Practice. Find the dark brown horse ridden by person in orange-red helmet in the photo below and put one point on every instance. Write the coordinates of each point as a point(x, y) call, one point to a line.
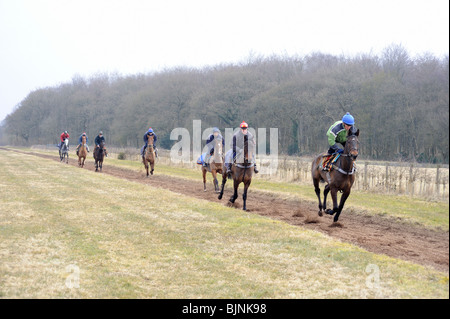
point(241, 173)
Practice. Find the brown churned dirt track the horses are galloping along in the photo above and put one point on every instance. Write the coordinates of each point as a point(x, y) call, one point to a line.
point(377, 234)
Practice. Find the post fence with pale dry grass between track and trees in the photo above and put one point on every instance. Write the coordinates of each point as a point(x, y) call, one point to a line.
point(413, 179)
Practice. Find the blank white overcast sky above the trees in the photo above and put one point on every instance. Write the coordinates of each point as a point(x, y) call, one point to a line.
point(46, 42)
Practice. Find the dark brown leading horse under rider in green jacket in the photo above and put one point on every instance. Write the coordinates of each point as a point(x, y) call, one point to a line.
point(339, 178)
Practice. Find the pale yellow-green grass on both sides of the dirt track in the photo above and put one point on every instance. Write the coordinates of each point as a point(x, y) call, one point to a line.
point(120, 239)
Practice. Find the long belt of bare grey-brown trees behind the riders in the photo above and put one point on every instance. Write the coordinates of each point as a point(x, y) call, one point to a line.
point(400, 103)
